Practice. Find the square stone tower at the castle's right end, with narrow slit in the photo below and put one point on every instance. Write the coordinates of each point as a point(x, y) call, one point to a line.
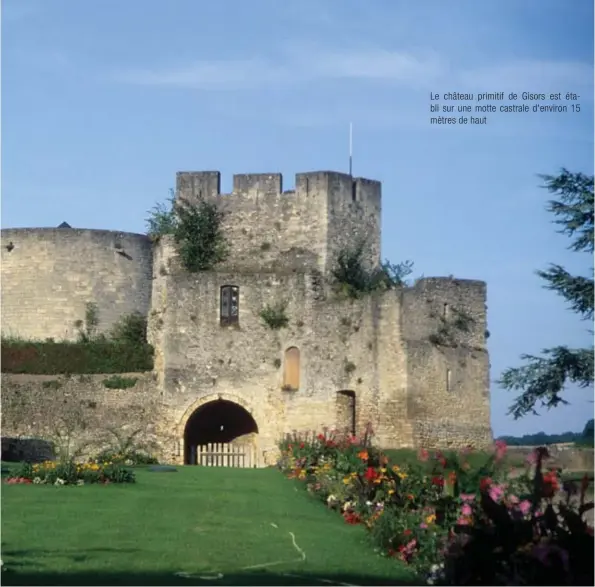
point(448, 377)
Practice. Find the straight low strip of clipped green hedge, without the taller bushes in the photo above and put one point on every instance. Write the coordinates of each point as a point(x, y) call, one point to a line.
point(57, 358)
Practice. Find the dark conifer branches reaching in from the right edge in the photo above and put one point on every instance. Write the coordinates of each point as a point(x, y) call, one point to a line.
point(544, 378)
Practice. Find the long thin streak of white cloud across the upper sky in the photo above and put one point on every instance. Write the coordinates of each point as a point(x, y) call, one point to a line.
point(299, 65)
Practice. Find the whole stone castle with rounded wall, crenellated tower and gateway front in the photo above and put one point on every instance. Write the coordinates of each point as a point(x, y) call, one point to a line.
point(398, 359)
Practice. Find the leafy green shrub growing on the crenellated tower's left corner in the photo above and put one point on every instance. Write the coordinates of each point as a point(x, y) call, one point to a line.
point(196, 229)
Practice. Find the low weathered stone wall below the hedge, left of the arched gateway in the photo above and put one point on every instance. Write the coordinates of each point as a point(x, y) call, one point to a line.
point(79, 411)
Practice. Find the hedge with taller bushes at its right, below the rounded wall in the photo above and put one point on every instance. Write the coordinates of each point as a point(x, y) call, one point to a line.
point(123, 350)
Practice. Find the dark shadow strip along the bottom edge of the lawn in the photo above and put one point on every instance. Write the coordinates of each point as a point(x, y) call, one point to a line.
point(161, 578)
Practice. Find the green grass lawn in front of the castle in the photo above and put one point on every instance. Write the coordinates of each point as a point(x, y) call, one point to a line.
point(252, 526)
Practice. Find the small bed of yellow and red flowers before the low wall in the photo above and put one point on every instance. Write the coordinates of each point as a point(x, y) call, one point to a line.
point(70, 473)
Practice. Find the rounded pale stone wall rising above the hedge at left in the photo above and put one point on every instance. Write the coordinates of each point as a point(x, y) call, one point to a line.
point(50, 274)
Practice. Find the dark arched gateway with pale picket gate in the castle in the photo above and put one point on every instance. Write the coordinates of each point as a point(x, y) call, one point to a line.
point(219, 431)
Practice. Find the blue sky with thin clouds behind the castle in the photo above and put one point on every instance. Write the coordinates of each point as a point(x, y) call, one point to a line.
point(103, 102)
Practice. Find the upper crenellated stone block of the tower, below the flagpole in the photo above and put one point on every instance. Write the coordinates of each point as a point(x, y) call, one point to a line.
point(323, 214)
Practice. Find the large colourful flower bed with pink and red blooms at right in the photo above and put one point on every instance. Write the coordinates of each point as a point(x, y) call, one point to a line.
point(454, 523)
